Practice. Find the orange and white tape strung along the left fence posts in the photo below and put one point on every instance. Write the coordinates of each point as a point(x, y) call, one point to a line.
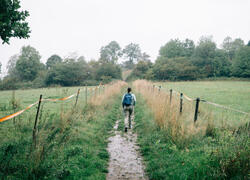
point(51, 100)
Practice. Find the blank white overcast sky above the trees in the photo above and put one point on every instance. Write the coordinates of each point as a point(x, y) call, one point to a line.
point(83, 26)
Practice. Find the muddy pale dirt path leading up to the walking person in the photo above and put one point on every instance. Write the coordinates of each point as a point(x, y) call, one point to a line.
point(125, 161)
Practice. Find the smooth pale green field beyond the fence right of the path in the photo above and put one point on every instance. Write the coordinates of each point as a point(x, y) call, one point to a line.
point(233, 94)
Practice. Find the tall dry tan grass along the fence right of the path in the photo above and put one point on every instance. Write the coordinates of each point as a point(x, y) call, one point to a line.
point(167, 115)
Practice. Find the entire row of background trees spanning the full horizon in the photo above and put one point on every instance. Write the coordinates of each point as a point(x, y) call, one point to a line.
point(177, 60)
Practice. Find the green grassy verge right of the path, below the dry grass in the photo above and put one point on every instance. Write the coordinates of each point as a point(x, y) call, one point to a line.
point(220, 154)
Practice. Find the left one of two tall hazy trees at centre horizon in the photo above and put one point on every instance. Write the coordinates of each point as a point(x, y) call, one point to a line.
point(111, 52)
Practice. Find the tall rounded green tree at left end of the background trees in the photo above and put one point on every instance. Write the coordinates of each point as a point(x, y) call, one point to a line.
point(28, 64)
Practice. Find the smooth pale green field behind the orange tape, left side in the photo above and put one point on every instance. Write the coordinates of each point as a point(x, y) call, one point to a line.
point(23, 98)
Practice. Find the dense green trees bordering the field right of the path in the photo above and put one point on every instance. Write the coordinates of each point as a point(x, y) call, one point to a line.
point(183, 60)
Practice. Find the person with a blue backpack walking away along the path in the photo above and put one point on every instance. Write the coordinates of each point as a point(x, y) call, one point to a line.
point(128, 103)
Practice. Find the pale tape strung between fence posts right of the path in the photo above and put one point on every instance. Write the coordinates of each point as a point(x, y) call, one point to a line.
point(202, 100)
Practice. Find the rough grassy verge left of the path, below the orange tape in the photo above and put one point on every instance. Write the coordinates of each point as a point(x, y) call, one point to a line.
point(71, 144)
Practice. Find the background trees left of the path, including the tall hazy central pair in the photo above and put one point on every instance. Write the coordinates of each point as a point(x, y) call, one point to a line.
point(26, 69)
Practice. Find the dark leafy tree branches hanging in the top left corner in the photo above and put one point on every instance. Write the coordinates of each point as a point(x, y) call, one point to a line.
point(12, 20)
